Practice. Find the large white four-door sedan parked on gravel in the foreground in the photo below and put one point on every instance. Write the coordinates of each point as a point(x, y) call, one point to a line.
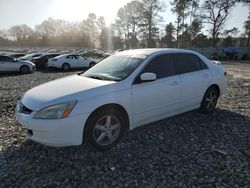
point(122, 92)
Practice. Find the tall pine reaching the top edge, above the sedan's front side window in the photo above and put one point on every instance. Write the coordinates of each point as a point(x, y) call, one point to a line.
point(150, 20)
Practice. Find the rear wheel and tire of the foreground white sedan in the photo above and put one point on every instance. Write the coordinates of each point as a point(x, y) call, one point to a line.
point(209, 100)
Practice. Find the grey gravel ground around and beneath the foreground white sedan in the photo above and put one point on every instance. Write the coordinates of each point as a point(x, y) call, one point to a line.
point(188, 150)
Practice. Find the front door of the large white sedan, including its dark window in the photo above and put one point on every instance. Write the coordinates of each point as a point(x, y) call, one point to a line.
point(160, 98)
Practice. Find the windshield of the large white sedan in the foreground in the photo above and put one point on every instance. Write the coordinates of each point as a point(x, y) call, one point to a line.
point(115, 68)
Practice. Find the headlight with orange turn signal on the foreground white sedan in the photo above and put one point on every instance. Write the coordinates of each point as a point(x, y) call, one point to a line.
point(56, 111)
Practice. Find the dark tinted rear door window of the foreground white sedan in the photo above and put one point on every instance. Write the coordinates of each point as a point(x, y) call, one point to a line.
point(186, 63)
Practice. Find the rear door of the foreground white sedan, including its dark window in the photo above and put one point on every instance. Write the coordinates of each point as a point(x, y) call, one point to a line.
point(195, 78)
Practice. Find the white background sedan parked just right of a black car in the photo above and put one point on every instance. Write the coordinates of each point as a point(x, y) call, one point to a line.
point(68, 61)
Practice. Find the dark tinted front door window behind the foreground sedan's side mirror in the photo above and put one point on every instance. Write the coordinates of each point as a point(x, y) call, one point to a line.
point(162, 66)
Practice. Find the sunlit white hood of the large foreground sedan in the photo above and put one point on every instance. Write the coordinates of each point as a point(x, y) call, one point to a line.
point(69, 88)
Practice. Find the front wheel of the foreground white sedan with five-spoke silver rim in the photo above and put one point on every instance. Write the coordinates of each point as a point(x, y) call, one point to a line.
point(104, 129)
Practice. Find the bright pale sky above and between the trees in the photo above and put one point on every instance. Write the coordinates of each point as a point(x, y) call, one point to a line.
point(33, 12)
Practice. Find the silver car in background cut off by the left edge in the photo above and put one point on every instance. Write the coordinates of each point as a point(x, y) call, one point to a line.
point(10, 64)
